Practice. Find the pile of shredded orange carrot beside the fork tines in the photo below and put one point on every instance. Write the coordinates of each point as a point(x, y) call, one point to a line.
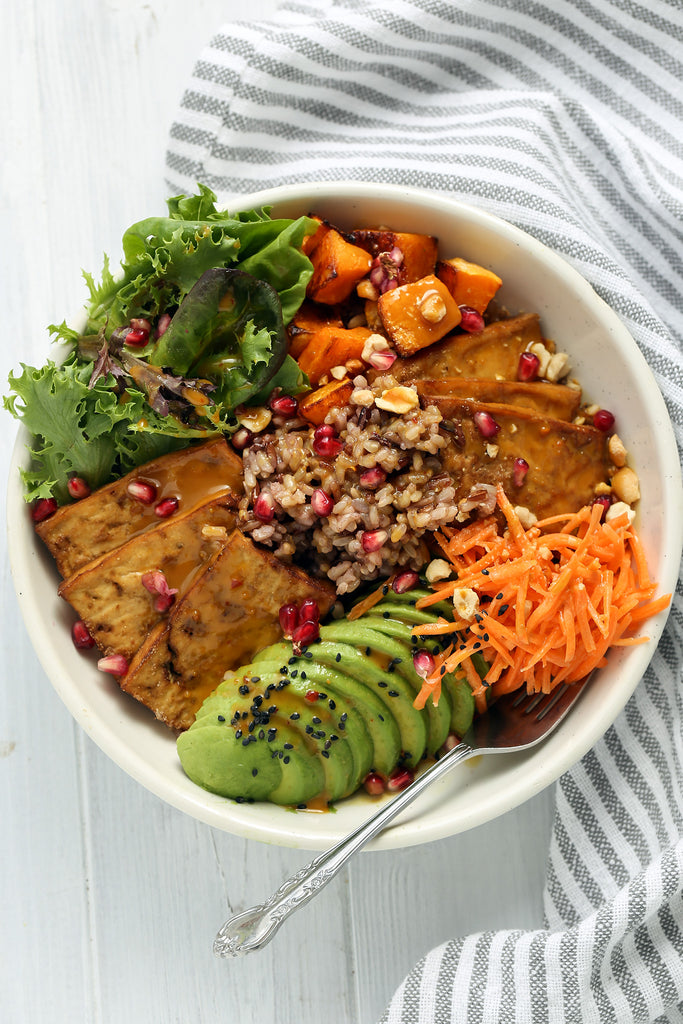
point(552, 600)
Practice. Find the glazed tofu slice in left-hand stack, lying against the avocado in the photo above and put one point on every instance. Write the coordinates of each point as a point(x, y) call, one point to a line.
point(229, 614)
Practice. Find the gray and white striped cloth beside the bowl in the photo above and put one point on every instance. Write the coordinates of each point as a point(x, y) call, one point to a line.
point(566, 118)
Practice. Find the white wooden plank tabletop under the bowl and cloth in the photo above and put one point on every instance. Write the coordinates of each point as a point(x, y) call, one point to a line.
point(110, 900)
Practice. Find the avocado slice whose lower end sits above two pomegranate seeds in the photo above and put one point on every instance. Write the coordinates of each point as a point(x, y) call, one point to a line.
point(378, 719)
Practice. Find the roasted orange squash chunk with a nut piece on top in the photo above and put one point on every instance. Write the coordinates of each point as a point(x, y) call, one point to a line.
point(418, 315)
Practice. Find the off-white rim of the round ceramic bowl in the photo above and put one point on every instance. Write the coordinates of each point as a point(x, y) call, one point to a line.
point(211, 810)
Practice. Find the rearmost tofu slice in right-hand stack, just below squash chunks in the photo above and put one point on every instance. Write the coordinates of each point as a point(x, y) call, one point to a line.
point(493, 354)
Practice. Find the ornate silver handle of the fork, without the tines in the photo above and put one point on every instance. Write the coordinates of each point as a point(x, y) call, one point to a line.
point(252, 929)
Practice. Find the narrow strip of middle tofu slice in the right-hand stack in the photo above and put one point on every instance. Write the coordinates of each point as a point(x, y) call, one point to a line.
point(557, 401)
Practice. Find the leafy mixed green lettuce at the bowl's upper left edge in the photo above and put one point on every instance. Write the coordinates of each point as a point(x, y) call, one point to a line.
point(192, 328)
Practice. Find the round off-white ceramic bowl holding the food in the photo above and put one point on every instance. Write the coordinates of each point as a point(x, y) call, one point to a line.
point(614, 373)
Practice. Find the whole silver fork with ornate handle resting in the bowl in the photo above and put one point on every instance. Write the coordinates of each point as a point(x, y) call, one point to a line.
point(516, 722)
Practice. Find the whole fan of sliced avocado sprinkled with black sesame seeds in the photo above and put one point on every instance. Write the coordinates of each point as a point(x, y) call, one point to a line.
point(306, 730)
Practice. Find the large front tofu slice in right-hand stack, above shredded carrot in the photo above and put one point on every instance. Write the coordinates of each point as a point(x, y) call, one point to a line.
point(567, 462)
